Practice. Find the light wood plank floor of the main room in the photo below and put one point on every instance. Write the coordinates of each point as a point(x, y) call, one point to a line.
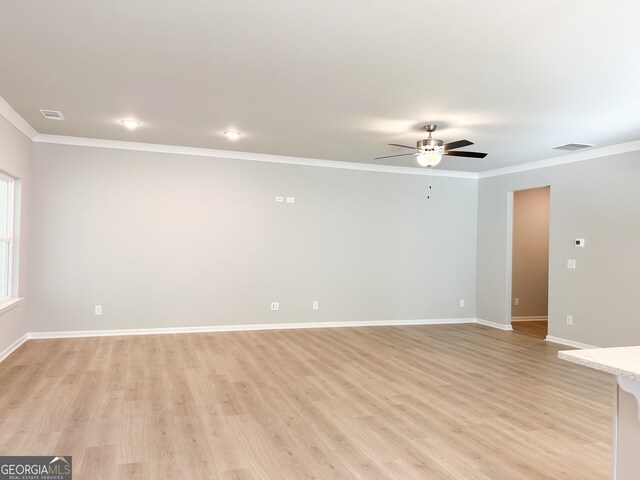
point(432, 402)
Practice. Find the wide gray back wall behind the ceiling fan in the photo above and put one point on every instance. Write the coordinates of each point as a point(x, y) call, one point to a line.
point(166, 240)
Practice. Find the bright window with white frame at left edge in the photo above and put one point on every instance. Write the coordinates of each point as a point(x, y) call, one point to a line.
point(6, 235)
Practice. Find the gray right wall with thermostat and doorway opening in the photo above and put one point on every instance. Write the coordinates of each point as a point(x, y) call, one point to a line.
point(598, 200)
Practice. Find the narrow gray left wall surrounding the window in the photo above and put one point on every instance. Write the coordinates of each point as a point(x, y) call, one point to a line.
point(15, 160)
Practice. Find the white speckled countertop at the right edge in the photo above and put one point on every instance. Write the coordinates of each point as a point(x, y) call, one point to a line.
point(623, 361)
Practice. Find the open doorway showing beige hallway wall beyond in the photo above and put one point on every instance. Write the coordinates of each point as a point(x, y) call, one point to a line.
point(530, 262)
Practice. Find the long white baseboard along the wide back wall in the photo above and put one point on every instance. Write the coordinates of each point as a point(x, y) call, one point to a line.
point(246, 327)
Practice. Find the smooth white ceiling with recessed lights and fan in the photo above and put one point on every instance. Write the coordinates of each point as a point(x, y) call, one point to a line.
point(333, 79)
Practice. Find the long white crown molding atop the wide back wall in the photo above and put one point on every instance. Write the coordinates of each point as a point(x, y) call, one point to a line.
point(234, 155)
